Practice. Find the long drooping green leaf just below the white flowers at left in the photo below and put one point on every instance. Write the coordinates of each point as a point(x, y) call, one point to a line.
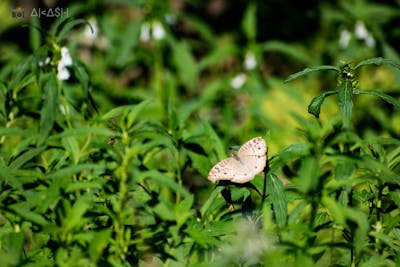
point(49, 109)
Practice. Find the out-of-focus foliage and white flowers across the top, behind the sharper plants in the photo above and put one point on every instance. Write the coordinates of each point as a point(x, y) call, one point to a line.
point(218, 60)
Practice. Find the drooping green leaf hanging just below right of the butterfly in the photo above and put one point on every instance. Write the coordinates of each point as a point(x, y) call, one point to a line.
point(277, 194)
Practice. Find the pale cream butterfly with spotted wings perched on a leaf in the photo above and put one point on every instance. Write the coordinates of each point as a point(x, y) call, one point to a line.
point(242, 167)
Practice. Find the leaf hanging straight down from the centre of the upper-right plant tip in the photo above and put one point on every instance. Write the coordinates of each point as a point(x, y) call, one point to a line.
point(345, 100)
